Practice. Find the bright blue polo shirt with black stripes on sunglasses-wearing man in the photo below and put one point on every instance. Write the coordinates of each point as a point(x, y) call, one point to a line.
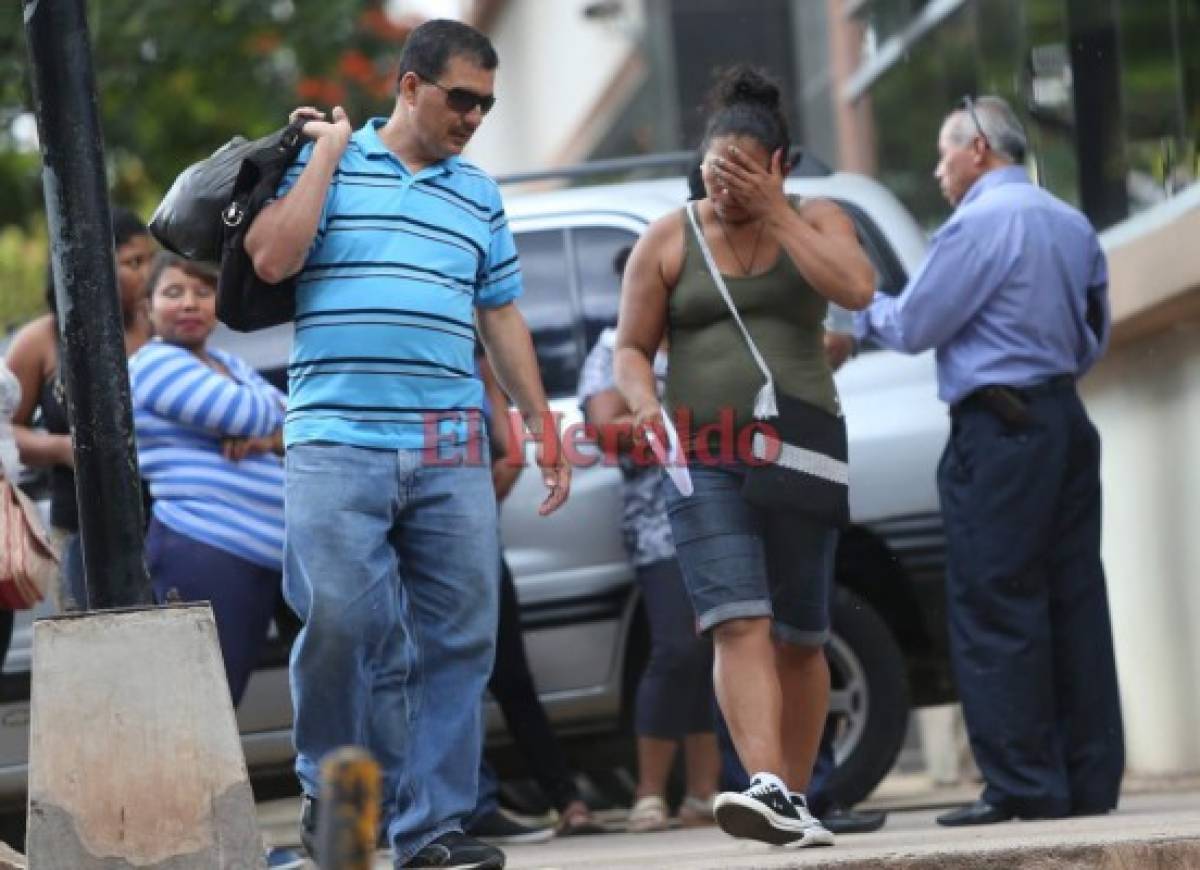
point(385, 331)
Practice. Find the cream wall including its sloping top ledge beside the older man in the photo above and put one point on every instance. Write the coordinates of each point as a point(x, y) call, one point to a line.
point(1145, 399)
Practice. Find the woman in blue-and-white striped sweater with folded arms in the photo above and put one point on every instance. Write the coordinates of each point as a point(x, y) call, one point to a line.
point(209, 443)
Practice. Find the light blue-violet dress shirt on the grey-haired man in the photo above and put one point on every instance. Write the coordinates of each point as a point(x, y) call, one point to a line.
point(1013, 291)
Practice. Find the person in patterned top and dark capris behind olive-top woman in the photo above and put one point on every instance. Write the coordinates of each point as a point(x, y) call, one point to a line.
point(674, 705)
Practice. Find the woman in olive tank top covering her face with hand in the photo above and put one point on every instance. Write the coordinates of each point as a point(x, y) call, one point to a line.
point(759, 580)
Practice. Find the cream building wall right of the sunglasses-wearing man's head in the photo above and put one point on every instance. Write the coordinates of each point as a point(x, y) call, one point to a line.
point(556, 70)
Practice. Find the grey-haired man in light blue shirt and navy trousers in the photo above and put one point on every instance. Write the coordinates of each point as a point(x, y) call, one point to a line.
point(1013, 296)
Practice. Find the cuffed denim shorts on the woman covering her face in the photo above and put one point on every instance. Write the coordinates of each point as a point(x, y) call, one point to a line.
point(740, 561)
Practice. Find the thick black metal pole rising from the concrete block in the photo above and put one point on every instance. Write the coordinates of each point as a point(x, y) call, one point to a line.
point(91, 323)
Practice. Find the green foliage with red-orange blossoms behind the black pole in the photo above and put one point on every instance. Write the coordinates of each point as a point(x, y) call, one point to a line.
point(178, 80)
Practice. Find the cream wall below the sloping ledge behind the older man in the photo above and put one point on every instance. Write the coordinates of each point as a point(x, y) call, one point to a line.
point(1145, 399)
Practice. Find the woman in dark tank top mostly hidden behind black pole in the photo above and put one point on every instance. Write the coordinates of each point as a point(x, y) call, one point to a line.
point(34, 358)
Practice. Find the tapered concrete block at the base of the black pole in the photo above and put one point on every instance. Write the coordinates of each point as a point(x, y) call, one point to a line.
point(135, 758)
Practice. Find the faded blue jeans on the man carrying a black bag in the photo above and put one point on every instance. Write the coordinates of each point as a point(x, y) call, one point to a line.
point(392, 567)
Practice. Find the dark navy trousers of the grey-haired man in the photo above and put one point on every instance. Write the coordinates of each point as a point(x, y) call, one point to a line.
point(1030, 632)
